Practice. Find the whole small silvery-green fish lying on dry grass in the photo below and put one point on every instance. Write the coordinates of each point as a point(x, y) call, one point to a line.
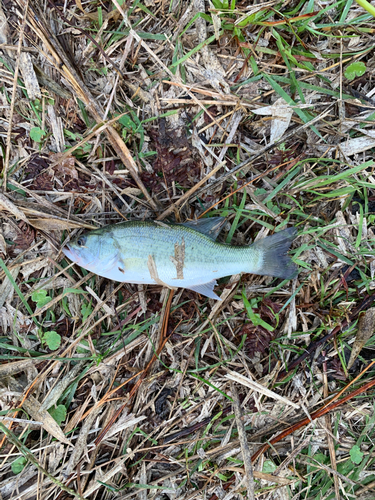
point(177, 255)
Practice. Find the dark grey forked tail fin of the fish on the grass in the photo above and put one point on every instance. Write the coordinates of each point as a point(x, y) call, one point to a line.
point(274, 248)
